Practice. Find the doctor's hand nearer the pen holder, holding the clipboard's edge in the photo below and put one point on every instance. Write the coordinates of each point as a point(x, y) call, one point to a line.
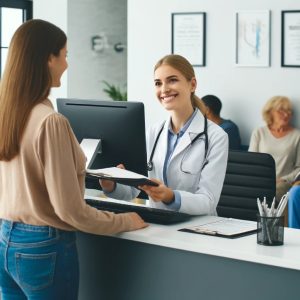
point(158, 193)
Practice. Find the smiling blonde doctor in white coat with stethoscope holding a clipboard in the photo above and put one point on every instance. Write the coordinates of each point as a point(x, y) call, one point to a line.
point(187, 153)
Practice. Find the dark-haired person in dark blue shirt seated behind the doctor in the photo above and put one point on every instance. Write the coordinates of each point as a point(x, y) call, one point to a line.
point(214, 106)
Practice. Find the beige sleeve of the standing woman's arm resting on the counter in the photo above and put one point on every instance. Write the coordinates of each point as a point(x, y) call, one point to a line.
point(59, 155)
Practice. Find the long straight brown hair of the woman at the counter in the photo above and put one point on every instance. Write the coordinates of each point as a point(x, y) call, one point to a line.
point(26, 79)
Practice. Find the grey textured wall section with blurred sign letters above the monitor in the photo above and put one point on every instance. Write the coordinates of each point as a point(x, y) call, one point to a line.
point(87, 68)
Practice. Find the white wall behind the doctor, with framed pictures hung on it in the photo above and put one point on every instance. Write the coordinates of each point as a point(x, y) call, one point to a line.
point(243, 91)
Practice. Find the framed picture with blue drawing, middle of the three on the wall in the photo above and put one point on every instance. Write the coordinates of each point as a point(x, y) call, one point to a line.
point(253, 38)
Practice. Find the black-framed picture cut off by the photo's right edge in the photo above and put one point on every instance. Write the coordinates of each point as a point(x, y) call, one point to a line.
point(290, 38)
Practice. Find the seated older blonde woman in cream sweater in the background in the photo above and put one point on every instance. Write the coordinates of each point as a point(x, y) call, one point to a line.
point(280, 139)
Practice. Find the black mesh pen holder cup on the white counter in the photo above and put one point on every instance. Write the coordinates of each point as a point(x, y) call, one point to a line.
point(270, 230)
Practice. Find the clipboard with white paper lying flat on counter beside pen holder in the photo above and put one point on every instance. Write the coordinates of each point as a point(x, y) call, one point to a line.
point(224, 227)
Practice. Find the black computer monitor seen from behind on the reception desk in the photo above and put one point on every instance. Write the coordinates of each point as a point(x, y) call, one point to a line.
point(119, 125)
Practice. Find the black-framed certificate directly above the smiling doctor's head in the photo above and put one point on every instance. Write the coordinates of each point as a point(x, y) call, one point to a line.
point(188, 36)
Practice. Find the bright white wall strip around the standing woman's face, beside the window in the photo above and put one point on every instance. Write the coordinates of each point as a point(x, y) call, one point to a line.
point(54, 11)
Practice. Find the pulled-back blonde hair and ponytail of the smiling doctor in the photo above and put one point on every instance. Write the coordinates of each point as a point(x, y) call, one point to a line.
point(182, 65)
